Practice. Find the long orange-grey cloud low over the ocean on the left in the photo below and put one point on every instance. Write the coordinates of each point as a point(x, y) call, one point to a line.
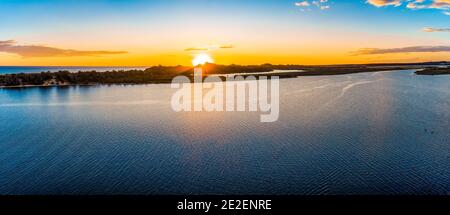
point(10, 46)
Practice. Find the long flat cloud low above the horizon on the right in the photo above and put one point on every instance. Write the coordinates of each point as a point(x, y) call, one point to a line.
point(372, 51)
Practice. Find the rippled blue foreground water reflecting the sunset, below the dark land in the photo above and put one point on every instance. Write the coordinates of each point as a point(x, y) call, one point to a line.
point(373, 133)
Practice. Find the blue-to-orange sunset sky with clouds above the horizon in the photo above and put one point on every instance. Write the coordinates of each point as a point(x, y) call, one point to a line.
point(169, 32)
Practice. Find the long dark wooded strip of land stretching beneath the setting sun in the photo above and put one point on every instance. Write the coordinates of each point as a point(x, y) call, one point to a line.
point(165, 74)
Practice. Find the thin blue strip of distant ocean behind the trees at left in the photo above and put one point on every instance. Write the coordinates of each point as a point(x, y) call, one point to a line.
point(38, 69)
